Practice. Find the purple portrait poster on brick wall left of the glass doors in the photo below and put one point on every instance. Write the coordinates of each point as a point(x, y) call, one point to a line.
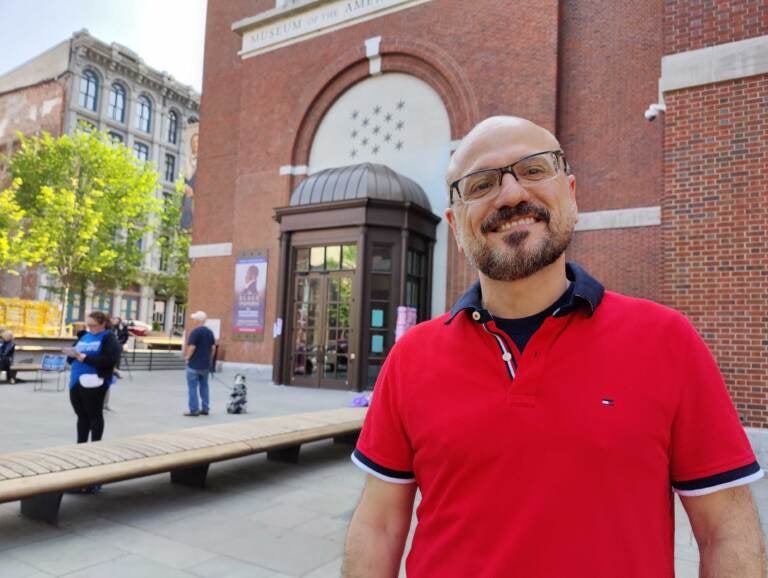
point(250, 295)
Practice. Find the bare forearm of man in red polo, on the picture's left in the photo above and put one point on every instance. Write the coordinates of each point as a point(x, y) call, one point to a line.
point(378, 530)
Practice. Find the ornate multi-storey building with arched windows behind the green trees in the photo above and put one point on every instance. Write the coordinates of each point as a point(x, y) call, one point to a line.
point(85, 83)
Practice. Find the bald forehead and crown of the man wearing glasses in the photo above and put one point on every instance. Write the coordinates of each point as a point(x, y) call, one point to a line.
point(499, 136)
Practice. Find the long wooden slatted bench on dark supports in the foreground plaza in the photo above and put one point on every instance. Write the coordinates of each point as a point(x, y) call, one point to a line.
point(39, 477)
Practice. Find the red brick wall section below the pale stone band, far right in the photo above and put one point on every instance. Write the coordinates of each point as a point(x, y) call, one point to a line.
point(715, 214)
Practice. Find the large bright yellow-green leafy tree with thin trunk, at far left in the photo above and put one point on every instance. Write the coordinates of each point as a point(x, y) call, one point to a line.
point(82, 205)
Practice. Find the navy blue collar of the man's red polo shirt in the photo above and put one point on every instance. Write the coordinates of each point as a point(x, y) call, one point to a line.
point(587, 295)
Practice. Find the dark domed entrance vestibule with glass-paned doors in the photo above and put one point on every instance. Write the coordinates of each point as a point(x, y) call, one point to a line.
point(356, 242)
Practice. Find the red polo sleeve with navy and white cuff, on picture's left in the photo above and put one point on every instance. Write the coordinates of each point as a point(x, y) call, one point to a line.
point(383, 449)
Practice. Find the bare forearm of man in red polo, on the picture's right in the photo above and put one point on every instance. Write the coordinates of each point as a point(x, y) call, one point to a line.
point(728, 533)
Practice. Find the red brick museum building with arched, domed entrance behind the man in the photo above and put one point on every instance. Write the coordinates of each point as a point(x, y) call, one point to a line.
point(301, 96)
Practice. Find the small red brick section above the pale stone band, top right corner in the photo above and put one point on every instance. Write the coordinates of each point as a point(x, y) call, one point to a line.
point(692, 24)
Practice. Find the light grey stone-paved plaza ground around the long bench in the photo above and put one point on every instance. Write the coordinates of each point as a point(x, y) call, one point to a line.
point(255, 519)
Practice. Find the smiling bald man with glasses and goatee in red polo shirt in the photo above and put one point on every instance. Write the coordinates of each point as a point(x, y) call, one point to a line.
point(545, 421)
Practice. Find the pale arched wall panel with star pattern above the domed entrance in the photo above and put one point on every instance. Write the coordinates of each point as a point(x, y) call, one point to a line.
point(400, 121)
